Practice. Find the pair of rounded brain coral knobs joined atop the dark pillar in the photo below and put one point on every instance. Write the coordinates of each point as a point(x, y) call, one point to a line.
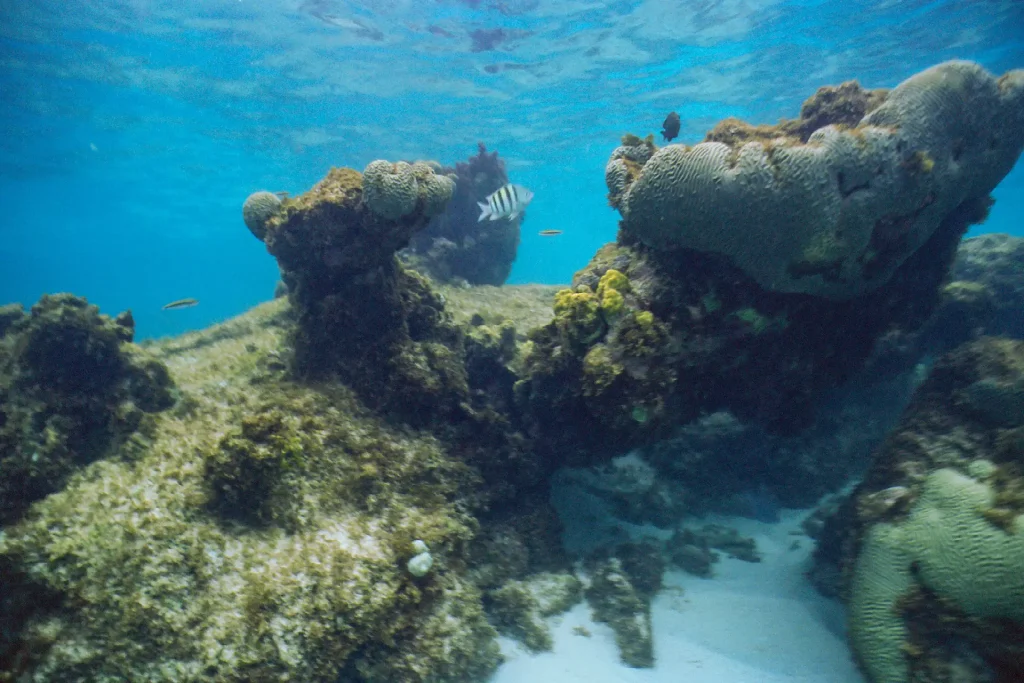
point(393, 191)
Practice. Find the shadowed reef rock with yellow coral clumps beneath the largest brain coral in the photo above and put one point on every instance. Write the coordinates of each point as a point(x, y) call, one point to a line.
point(690, 334)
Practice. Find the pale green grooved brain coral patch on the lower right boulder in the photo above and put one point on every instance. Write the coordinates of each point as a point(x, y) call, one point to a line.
point(949, 546)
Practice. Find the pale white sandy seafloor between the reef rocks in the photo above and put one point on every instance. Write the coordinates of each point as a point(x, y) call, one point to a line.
point(752, 623)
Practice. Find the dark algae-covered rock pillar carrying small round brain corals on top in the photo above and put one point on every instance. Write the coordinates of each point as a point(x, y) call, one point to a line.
point(361, 316)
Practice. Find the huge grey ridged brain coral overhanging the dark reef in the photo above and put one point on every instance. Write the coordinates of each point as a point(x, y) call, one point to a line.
point(834, 217)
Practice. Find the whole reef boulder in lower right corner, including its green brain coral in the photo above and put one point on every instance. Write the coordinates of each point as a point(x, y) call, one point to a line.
point(929, 546)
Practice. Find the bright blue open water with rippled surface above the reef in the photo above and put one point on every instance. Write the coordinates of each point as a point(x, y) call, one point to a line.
point(134, 130)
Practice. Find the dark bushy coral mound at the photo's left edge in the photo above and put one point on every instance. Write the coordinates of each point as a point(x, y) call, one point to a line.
point(72, 387)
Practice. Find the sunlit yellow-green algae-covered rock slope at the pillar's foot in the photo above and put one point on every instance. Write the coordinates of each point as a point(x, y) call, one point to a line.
point(262, 534)
